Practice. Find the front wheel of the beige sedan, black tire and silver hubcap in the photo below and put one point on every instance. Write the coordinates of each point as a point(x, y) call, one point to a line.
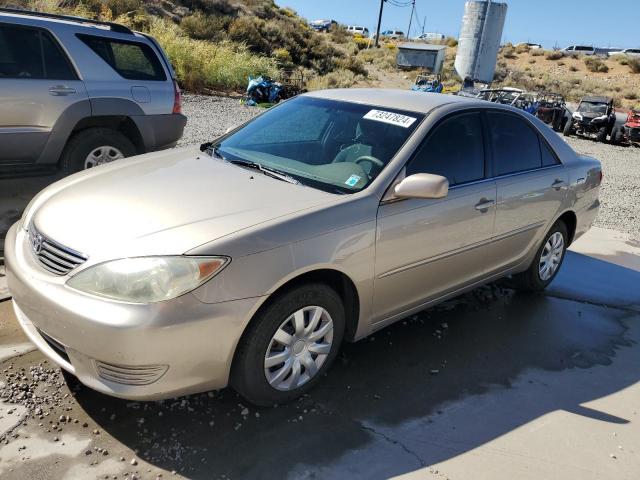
point(249, 370)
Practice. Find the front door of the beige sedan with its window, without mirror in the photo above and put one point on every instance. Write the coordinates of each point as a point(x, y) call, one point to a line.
point(427, 248)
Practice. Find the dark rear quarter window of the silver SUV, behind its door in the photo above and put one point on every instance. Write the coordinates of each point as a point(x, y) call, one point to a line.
point(132, 60)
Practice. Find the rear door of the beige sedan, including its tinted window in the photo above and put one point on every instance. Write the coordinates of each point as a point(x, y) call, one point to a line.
point(531, 185)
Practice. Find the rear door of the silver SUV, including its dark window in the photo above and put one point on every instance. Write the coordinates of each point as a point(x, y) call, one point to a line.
point(37, 85)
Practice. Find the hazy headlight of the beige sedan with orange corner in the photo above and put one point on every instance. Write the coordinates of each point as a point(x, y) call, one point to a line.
point(147, 279)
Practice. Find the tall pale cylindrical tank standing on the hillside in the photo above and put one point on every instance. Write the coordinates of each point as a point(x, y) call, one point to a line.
point(479, 40)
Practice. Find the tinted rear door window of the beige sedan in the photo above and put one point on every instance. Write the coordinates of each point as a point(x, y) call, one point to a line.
point(516, 147)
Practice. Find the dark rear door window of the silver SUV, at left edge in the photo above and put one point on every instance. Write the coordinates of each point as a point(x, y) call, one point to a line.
point(30, 53)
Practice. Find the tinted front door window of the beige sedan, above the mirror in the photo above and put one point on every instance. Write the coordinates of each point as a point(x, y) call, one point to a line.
point(454, 150)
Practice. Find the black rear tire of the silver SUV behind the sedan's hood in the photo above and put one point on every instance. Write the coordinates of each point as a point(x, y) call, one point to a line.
point(82, 144)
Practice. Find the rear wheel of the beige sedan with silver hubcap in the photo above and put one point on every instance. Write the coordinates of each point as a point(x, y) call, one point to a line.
point(547, 261)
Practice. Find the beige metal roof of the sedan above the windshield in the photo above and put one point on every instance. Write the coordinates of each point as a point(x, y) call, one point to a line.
point(420, 102)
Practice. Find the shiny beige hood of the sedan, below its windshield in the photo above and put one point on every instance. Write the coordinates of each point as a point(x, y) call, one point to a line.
point(164, 204)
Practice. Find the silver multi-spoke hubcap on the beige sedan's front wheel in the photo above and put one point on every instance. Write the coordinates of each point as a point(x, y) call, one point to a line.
point(299, 348)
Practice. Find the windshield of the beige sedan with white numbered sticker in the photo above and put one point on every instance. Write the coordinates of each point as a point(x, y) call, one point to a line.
point(335, 146)
